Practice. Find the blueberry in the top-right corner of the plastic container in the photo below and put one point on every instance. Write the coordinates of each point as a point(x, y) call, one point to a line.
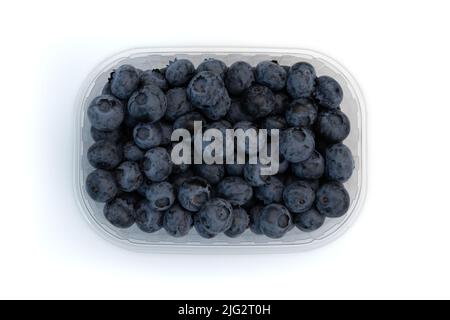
point(328, 93)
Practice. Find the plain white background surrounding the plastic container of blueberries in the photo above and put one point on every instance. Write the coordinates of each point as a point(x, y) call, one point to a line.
point(399, 51)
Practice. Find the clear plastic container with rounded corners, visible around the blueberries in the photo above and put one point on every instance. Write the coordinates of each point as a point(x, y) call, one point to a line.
point(149, 58)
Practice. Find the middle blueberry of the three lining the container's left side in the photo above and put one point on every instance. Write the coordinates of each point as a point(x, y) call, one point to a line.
point(104, 155)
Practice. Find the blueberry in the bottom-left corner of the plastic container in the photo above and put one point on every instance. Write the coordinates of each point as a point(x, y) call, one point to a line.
point(120, 211)
